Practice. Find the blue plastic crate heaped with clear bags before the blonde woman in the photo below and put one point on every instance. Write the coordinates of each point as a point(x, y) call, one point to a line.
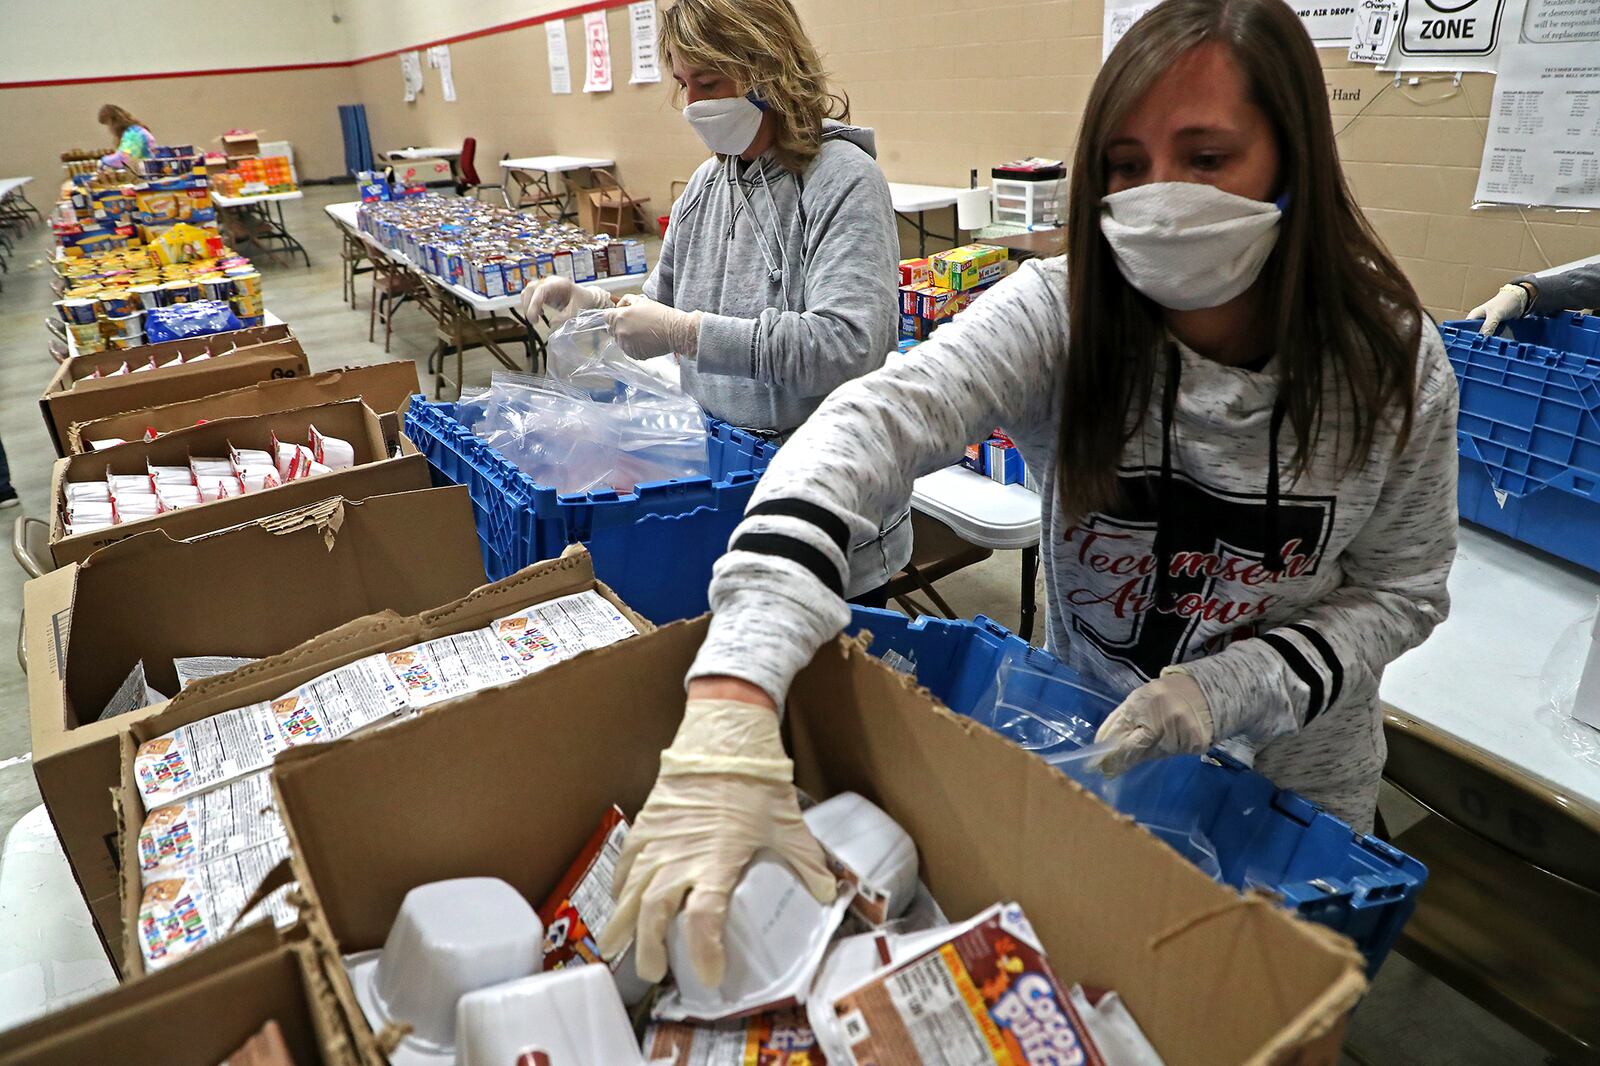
point(655, 545)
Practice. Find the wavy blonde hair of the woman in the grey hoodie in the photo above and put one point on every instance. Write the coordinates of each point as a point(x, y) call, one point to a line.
point(764, 49)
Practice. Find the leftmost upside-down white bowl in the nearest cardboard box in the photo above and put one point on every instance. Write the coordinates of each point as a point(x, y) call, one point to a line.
point(450, 939)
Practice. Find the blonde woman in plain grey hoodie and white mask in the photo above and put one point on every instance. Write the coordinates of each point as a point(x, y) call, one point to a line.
point(778, 276)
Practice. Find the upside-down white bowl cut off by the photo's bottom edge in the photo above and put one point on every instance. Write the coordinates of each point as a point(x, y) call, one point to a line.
point(574, 1016)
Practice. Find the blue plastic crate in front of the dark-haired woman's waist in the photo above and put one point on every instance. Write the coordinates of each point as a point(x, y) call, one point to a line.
point(1265, 836)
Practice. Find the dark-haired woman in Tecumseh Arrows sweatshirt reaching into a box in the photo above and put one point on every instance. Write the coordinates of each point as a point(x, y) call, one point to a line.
point(1250, 431)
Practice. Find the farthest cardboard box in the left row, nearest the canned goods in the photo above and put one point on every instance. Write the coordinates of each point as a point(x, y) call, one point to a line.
point(257, 355)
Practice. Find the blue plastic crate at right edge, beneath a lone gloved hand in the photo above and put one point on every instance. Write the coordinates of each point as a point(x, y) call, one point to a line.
point(1530, 431)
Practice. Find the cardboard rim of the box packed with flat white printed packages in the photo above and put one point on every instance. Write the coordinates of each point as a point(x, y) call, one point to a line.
point(278, 675)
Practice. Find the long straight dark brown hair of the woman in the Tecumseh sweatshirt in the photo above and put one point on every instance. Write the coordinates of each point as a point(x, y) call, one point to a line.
point(1342, 311)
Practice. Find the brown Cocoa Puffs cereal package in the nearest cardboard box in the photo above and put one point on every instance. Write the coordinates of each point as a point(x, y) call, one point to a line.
point(986, 995)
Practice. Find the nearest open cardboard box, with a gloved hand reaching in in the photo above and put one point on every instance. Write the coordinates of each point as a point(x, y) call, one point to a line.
point(1214, 977)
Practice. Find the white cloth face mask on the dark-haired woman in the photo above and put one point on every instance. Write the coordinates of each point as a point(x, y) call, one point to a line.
point(1188, 246)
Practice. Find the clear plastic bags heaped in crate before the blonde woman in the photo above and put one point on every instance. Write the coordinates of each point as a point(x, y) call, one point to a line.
point(596, 422)
